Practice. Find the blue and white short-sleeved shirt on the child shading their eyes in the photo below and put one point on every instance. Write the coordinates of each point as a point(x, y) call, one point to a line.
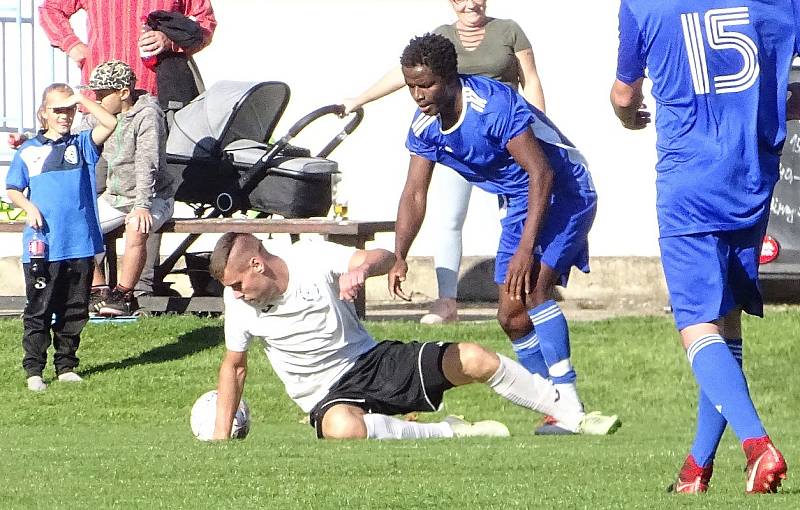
point(60, 178)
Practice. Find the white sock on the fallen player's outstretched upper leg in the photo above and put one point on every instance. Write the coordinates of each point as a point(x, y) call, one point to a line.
point(513, 382)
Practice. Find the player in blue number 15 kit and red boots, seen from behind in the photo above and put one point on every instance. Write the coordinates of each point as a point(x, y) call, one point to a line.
point(719, 80)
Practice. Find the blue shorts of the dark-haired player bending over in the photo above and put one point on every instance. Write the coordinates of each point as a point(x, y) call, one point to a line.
point(563, 240)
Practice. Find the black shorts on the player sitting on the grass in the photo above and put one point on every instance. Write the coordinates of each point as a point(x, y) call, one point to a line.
point(392, 378)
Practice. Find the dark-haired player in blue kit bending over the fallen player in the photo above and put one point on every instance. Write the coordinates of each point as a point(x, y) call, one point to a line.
point(493, 138)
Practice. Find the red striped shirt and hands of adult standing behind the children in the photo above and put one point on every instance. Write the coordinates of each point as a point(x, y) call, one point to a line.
point(114, 30)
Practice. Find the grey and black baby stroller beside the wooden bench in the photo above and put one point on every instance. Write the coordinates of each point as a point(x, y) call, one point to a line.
point(220, 154)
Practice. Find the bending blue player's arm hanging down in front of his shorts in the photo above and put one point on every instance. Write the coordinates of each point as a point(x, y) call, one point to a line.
point(527, 152)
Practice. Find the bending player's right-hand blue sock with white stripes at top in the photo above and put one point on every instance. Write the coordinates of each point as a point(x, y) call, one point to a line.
point(551, 328)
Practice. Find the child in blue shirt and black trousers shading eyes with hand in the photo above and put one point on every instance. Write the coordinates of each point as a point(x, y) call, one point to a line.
point(52, 177)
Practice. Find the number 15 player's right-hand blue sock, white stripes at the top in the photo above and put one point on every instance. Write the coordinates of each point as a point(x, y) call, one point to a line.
point(722, 381)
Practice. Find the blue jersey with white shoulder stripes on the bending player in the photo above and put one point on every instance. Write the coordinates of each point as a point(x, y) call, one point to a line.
point(492, 114)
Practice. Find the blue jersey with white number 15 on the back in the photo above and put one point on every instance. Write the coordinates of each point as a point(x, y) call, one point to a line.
point(719, 71)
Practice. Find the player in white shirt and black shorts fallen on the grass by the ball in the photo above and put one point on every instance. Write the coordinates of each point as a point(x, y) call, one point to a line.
point(300, 303)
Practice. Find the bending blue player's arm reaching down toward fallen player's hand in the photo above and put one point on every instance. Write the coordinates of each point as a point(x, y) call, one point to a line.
point(410, 214)
